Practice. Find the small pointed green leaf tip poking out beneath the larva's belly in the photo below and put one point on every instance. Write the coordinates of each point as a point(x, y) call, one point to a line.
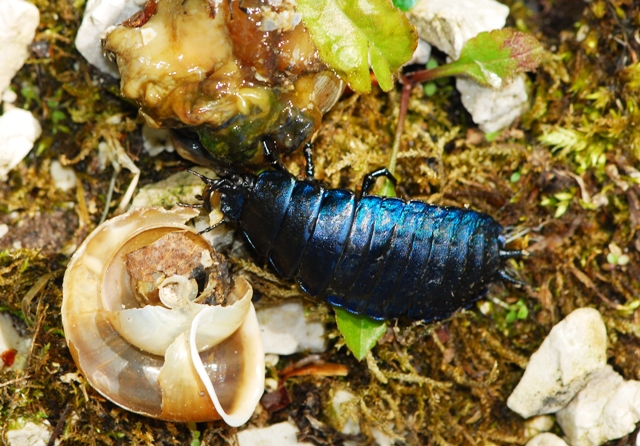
point(360, 332)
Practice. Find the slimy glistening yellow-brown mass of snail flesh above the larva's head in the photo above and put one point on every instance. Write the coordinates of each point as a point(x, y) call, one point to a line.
point(231, 74)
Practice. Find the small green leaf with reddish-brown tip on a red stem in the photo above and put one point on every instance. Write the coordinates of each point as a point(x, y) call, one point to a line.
point(495, 57)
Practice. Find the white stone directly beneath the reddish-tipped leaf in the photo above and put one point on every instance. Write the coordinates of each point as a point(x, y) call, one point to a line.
point(493, 108)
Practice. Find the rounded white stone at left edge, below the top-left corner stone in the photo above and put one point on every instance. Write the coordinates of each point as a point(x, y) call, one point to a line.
point(18, 131)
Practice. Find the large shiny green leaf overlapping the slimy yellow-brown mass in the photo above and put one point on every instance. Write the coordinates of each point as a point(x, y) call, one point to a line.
point(349, 33)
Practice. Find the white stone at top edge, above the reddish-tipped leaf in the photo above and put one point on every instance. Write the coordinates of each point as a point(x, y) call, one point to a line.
point(448, 24)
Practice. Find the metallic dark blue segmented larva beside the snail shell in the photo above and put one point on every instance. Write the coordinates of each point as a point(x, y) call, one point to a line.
point(383, 257)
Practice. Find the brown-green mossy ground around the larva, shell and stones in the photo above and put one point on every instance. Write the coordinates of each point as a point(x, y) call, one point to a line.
point(565, 177)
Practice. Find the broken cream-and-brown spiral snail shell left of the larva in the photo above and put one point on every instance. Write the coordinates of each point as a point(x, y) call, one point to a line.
point(173, 357)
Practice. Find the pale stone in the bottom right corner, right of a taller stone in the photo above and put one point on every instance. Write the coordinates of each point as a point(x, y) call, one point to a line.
point(608, 407)
